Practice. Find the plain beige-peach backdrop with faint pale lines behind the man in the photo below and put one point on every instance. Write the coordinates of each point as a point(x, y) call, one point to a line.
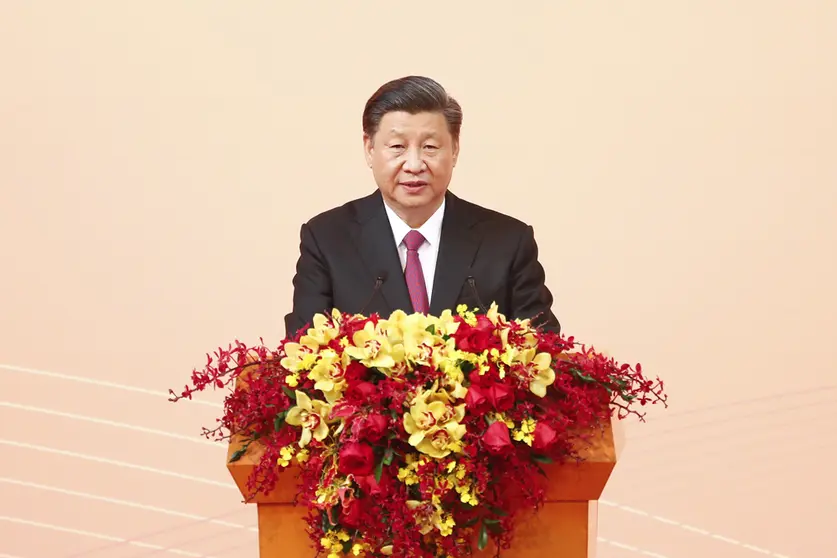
point(677, 159)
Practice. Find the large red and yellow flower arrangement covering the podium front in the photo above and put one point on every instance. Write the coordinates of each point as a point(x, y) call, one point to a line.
point(416, 435)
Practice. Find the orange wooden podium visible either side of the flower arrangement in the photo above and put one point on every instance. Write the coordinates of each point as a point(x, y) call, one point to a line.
point(565, 527)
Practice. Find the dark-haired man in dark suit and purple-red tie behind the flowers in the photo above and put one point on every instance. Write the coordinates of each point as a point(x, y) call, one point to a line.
point(412, 244)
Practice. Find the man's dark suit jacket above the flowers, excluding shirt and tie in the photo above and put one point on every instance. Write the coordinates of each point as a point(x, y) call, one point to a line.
point(344, 250)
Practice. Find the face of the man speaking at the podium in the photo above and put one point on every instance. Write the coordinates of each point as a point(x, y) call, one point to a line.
point(412, 157)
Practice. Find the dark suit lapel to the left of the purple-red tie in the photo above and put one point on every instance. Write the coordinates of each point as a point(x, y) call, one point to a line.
point(374, 241)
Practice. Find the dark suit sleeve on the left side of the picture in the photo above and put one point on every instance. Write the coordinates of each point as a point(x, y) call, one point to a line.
point(312, 284)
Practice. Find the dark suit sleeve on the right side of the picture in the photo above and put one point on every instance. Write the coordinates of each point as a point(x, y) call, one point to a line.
point(530, 297)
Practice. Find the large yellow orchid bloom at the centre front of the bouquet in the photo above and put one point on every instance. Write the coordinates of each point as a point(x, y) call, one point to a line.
point(434, 425)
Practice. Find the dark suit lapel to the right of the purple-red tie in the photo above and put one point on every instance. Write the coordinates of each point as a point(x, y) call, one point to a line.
point(457, 249)
